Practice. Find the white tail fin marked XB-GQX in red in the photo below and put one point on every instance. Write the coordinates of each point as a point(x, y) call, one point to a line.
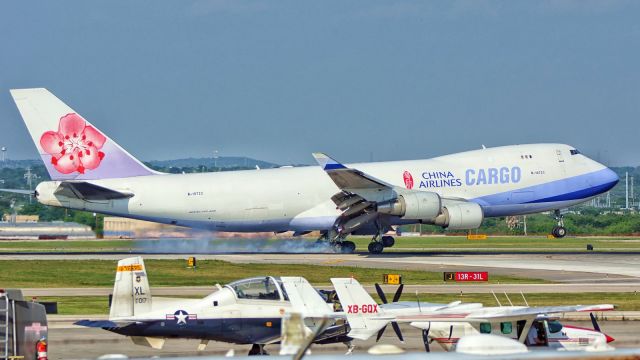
point(364, 315)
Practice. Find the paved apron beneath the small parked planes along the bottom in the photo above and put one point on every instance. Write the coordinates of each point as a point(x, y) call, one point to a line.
point(75, 342)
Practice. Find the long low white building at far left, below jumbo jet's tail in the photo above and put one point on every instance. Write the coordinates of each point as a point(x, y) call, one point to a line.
point(45, 230)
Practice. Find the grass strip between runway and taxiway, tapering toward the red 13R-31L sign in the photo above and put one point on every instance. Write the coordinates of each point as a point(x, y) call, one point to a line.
point(100, 273)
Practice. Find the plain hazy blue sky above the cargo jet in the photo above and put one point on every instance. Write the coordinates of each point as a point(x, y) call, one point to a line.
point(359, 80)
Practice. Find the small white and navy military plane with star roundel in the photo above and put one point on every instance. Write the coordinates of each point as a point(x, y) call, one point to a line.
point(247, 311)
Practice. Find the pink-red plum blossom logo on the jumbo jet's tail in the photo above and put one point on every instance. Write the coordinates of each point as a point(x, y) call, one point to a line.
point(75, 147)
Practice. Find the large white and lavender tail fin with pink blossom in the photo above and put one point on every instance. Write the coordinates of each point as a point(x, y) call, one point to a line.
point(69, 145)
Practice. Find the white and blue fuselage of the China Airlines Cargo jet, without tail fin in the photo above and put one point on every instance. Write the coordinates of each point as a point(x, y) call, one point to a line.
point(504, 181)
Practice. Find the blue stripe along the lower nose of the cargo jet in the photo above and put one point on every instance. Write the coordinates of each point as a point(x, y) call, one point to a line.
point(568, 189)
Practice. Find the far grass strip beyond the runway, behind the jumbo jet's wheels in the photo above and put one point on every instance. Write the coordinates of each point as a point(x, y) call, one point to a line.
point(427, 243)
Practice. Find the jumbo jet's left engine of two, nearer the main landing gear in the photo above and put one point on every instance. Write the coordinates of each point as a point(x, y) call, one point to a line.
point(418, 205)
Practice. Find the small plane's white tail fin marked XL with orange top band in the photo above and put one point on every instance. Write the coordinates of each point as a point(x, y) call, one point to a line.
point(131, 292)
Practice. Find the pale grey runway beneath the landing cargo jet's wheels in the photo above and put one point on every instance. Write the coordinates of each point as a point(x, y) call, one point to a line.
point(583, 268)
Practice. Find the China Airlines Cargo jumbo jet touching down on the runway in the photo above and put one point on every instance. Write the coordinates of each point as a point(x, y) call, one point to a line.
point(89, 171)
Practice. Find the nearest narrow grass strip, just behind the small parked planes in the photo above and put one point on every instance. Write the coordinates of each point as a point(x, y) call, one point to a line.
point(98, 305)
